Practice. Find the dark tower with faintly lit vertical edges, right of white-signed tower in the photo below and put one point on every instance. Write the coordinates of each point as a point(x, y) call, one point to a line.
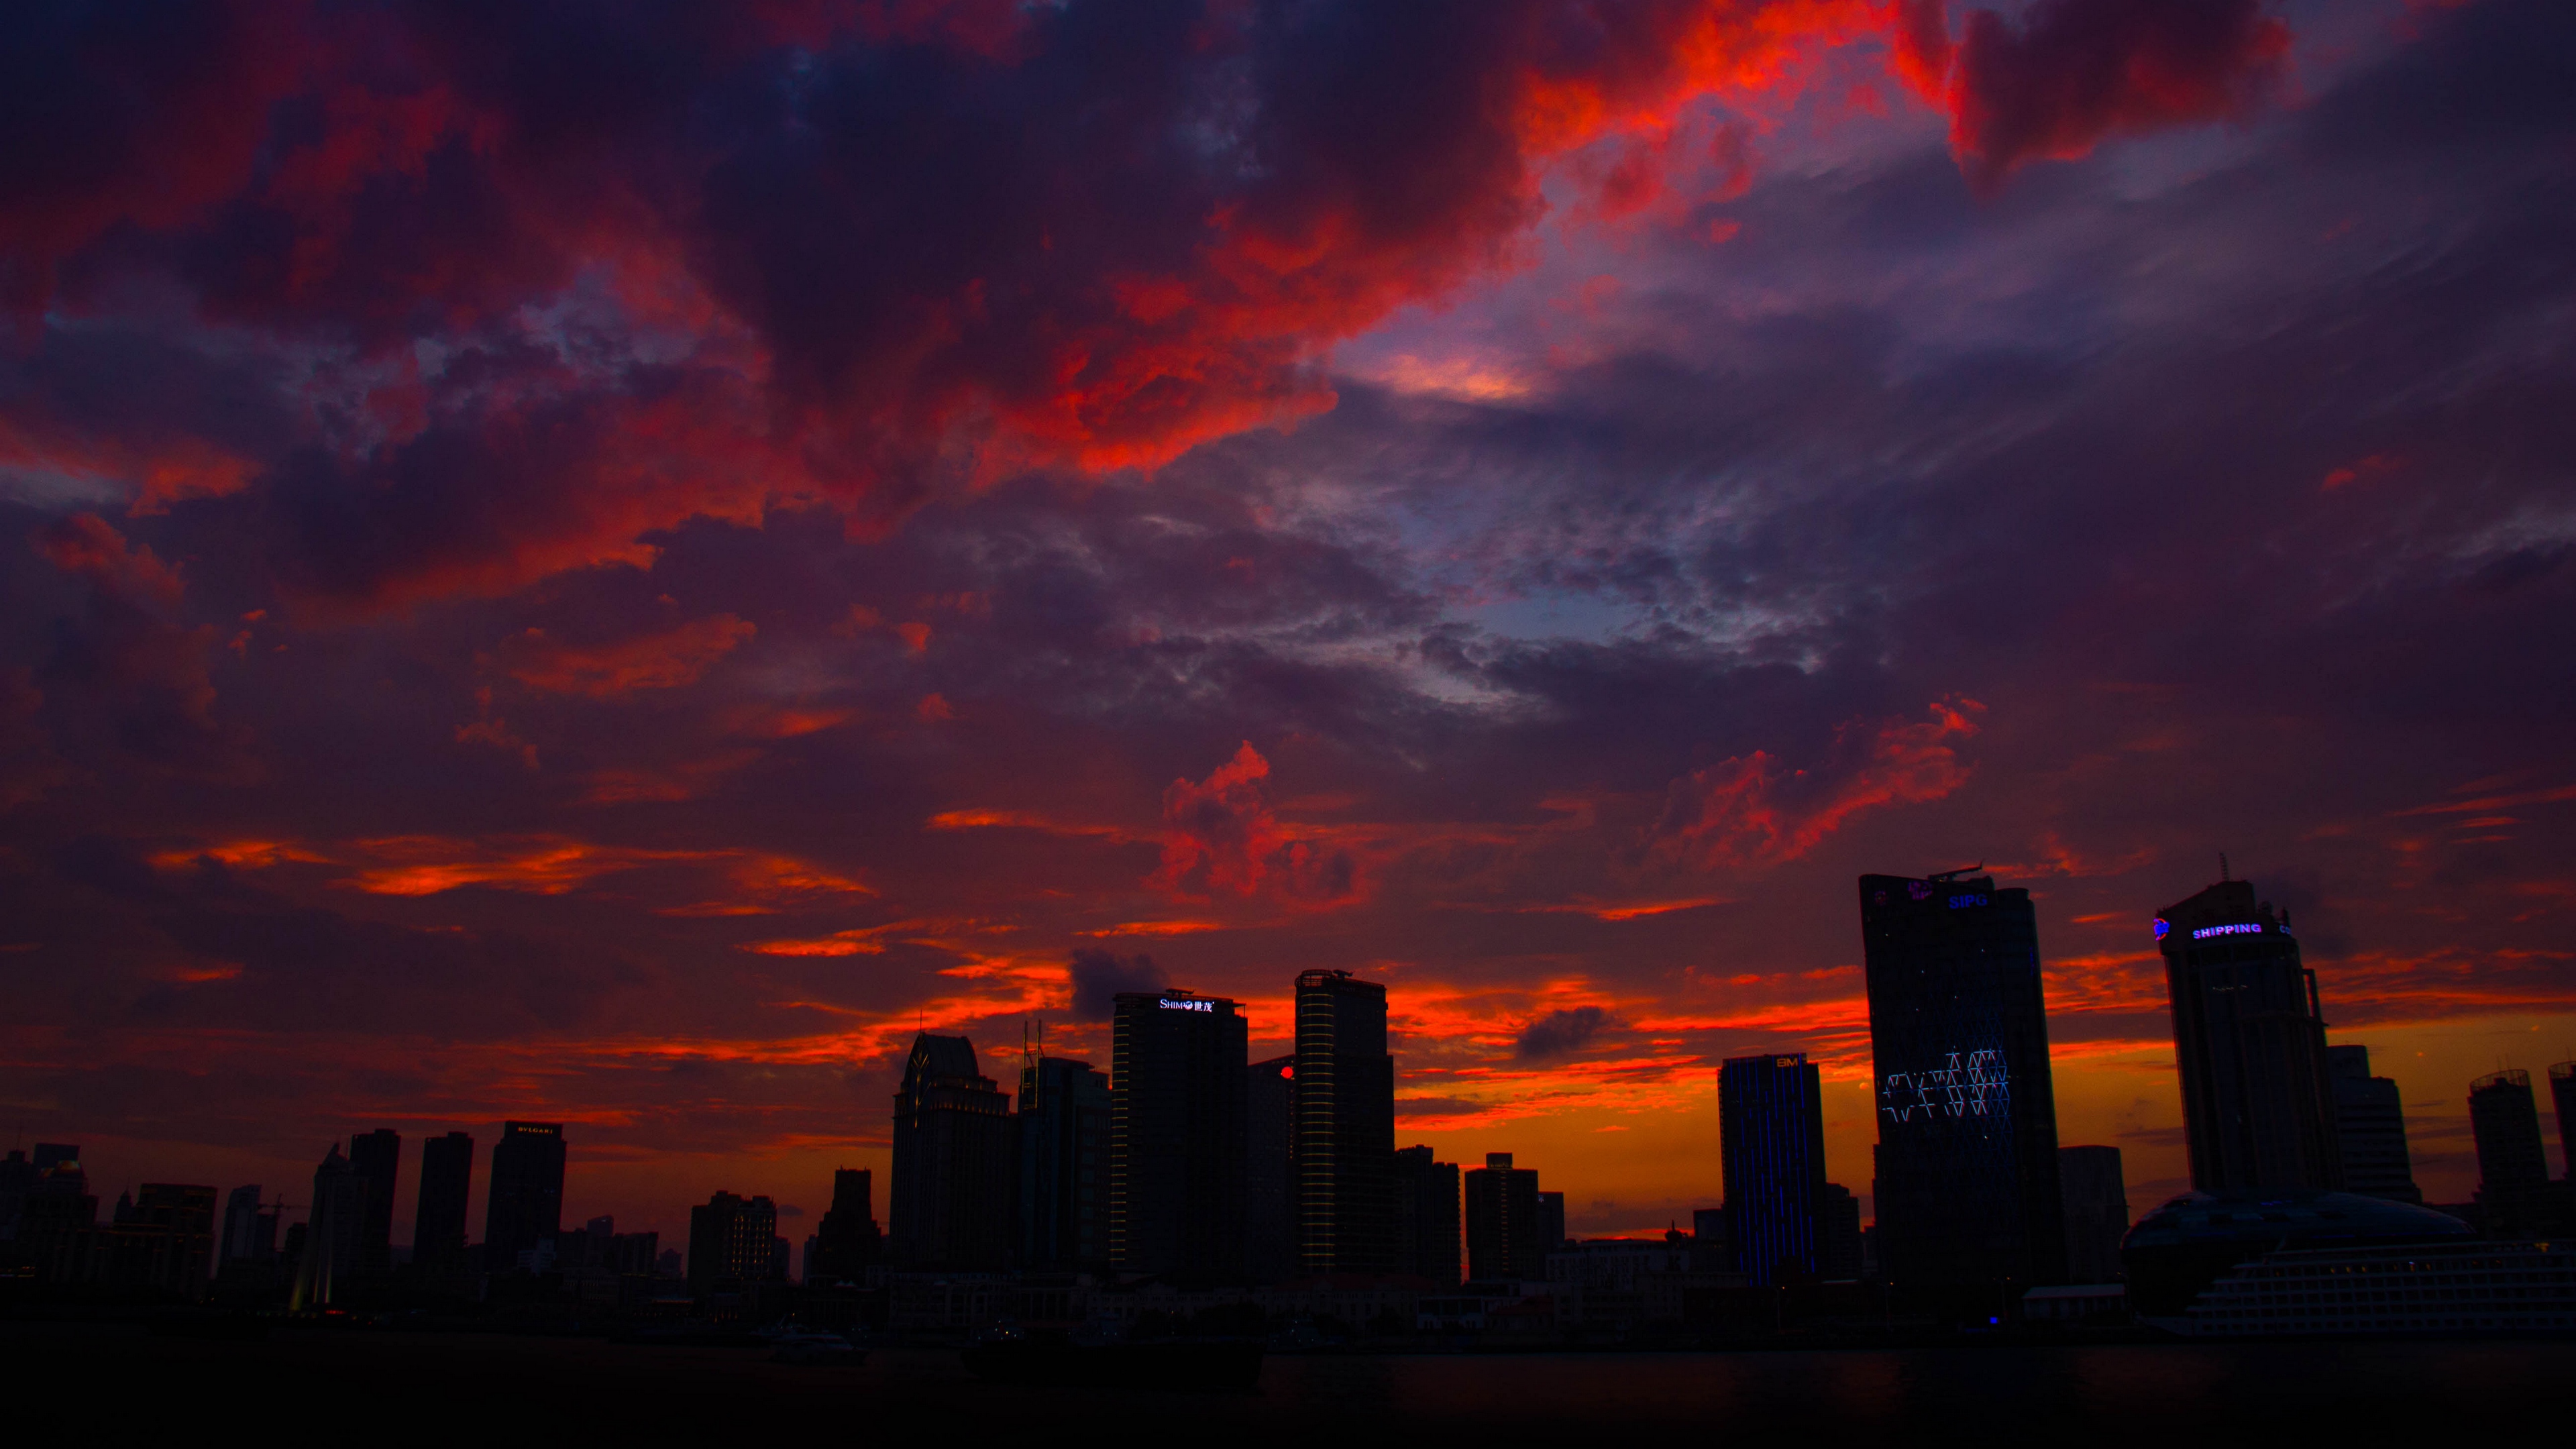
point(1346, 1128)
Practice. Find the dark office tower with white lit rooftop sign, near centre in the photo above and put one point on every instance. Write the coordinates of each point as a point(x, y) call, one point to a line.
point(1179, 1136)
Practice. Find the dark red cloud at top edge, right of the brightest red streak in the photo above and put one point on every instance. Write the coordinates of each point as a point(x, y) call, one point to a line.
point(2083, 71)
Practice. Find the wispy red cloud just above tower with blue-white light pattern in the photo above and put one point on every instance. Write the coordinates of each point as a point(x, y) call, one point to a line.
point(1753, 811)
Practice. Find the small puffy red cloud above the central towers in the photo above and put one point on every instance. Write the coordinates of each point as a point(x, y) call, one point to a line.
point(1220, 834)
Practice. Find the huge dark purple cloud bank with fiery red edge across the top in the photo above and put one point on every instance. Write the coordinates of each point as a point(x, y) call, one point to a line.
point(869, 293)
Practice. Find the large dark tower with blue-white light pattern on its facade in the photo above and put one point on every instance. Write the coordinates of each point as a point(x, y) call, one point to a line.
point(1967, 1110)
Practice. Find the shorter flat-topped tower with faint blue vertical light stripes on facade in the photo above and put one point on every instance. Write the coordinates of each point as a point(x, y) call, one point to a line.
point(1771, 1138)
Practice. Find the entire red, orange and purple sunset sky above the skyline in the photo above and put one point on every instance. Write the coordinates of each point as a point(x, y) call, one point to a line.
point(609, 563)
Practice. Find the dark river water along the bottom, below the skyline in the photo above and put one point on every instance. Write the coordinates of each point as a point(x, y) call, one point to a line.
point(393, 1388)
